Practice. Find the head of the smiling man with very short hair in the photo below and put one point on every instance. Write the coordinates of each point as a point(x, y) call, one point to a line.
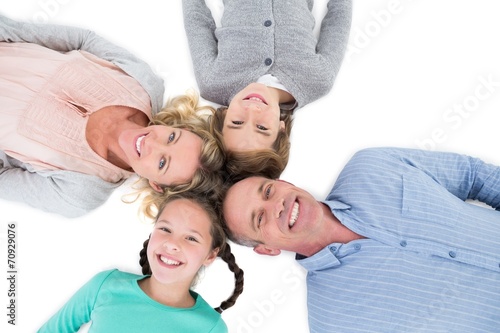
point(275, 214)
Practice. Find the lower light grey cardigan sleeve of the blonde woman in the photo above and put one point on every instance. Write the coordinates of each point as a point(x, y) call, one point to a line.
point(67, 193)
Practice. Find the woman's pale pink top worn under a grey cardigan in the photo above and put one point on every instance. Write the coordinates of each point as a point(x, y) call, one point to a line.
point(45, 100)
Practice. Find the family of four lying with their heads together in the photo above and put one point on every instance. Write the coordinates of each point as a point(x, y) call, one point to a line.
point(395, 233)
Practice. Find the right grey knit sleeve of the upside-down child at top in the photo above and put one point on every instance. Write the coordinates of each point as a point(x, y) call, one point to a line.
point(334, 33)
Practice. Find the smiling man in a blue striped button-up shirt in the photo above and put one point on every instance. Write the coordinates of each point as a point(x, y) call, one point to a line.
point(397, 246)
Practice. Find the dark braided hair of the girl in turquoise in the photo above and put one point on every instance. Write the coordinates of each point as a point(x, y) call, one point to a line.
point(219, 240)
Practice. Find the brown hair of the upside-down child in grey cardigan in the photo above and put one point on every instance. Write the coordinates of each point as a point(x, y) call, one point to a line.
point(264, 162)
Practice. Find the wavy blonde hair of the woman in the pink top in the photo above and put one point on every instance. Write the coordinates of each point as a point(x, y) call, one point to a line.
point(185, 112)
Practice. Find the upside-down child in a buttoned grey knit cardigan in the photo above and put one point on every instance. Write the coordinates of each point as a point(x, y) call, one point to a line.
point(263, 62)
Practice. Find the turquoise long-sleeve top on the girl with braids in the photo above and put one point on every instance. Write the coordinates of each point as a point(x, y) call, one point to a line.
point(114, 302)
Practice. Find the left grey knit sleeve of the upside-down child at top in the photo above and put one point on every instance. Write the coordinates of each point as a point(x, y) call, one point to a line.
point(200, 31)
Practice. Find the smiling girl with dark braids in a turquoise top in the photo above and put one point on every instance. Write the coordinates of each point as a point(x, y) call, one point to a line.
point(187, 235)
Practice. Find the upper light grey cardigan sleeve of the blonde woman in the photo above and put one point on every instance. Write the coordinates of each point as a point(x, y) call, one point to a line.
point(65, 38)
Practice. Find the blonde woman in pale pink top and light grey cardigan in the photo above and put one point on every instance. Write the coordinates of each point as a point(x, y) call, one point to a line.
point(79, 115)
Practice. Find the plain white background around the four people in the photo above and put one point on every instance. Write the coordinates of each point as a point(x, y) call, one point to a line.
point(409, 67)
